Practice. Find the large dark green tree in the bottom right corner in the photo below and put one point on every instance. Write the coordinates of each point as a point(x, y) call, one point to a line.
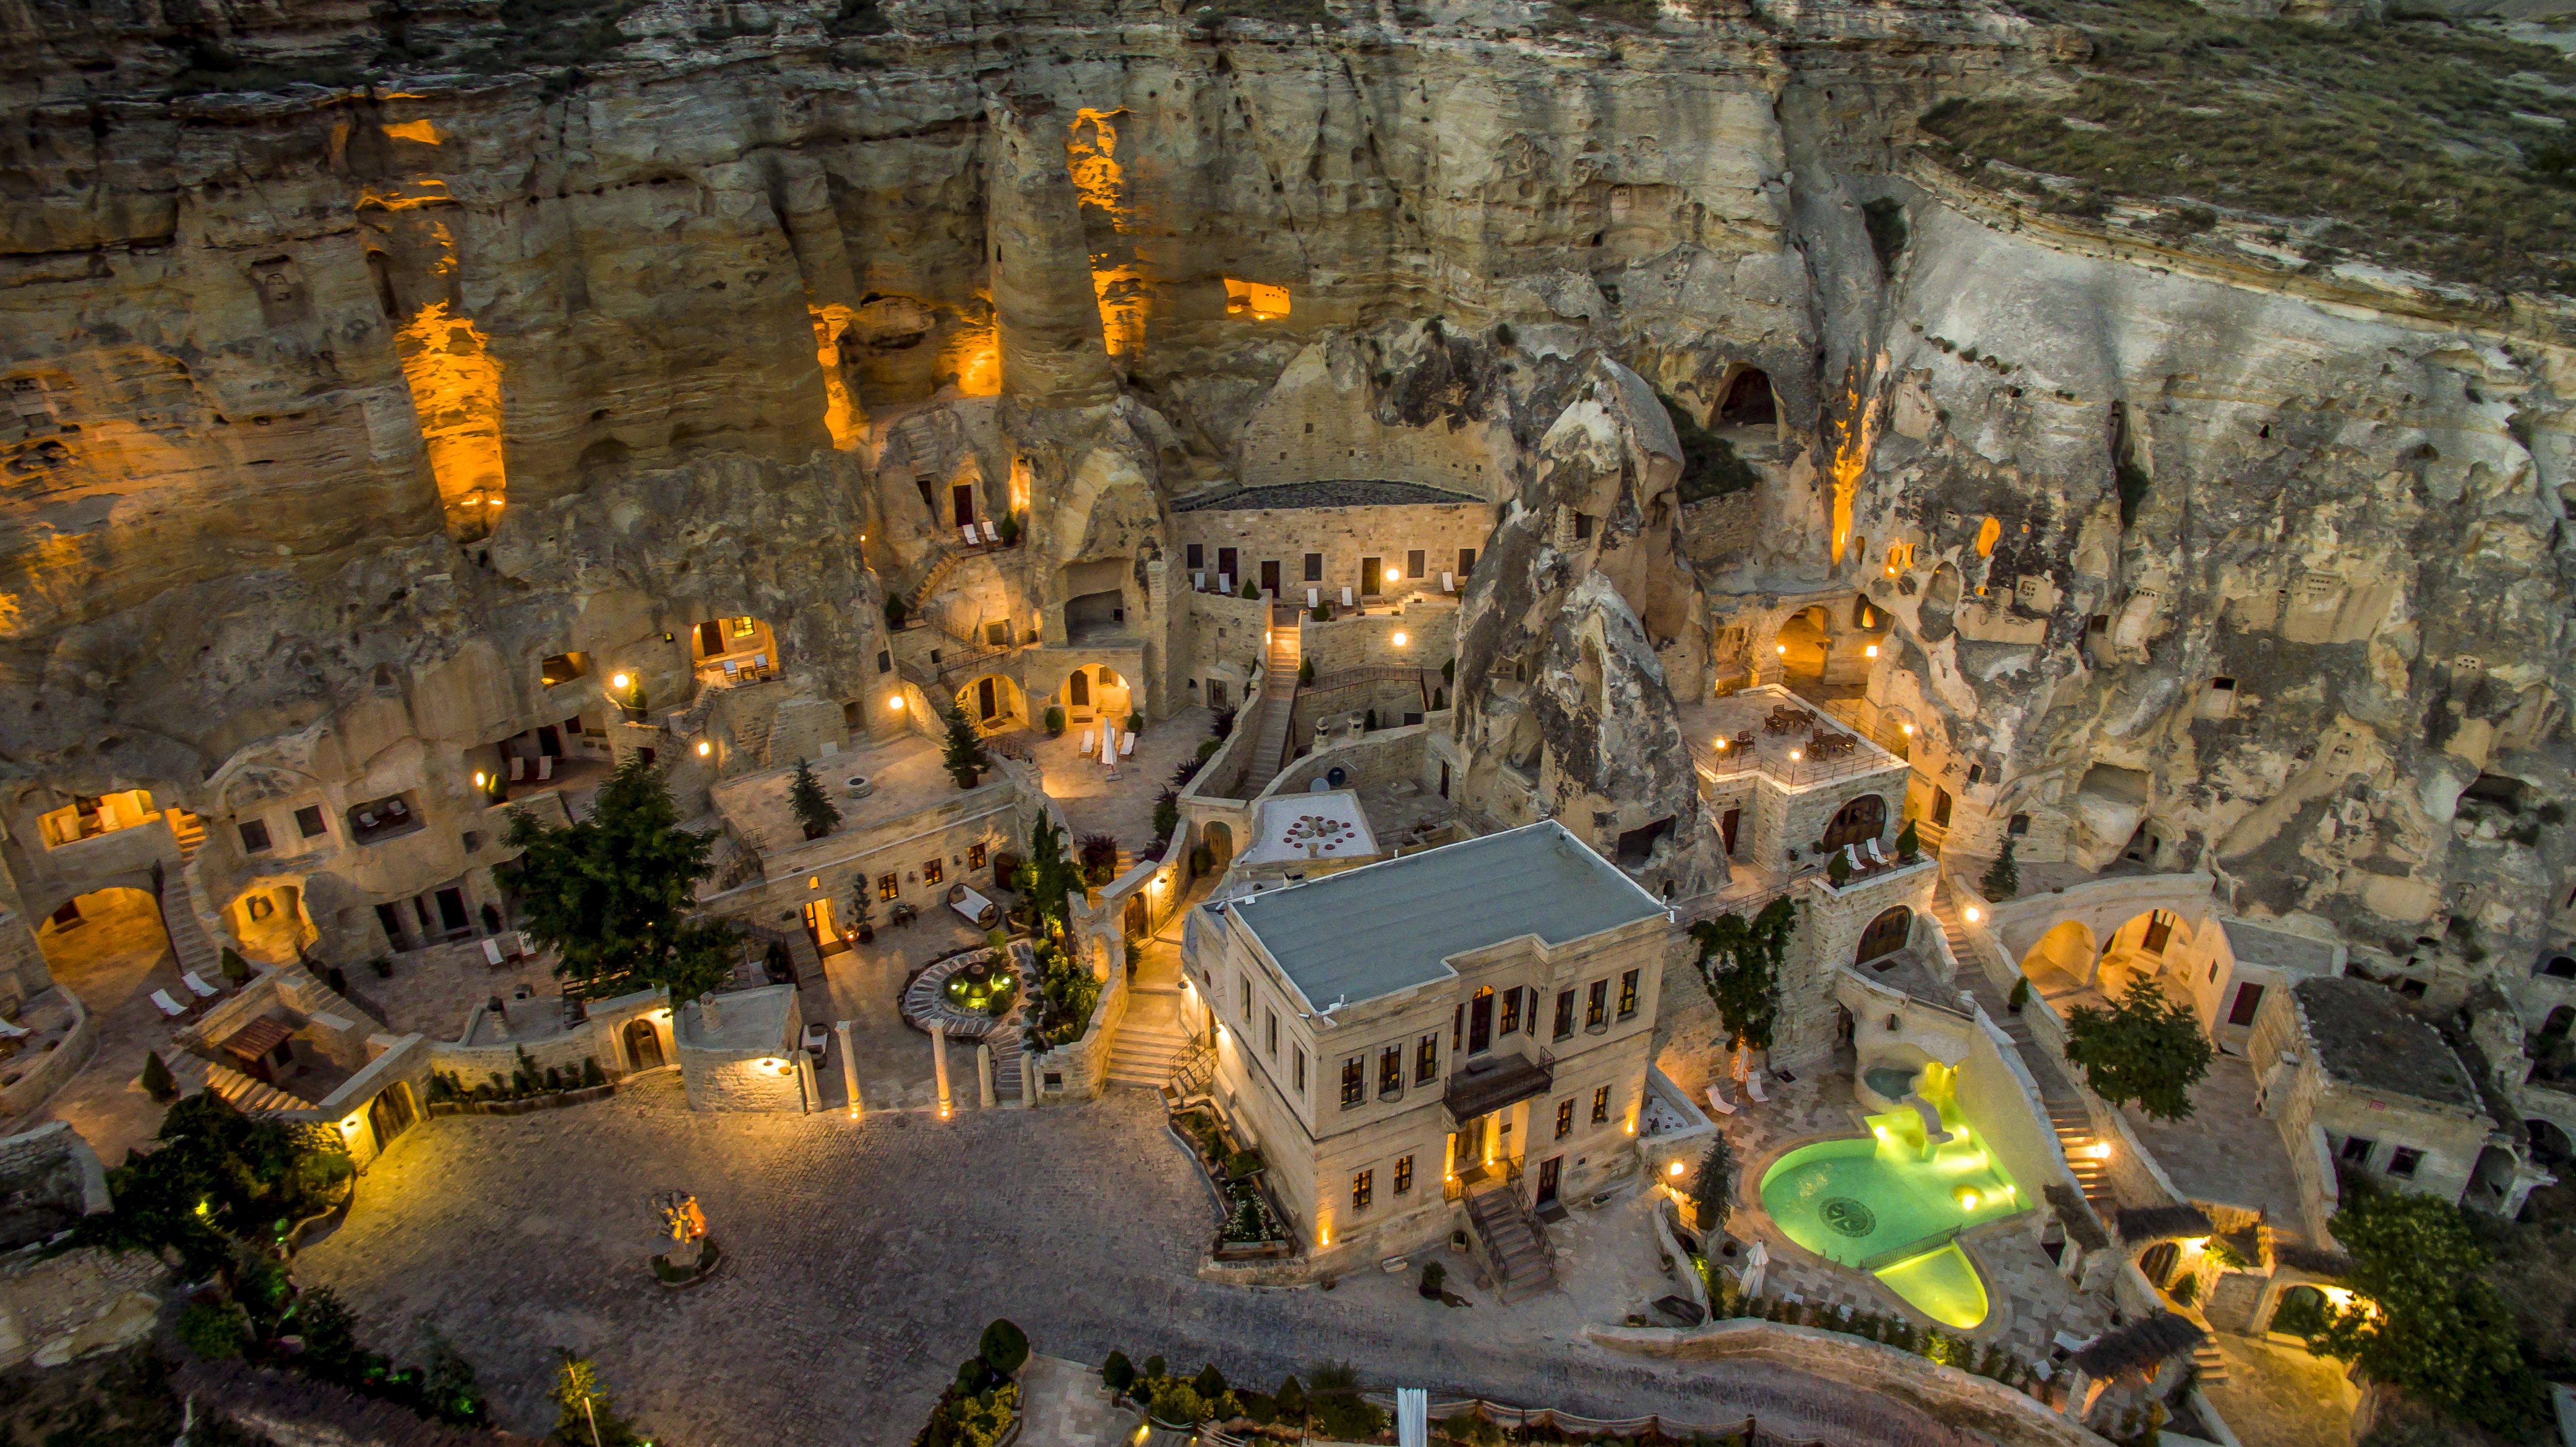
point(2430, 1322)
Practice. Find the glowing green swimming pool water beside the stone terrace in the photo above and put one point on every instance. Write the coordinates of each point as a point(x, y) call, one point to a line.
point(1884, 1204)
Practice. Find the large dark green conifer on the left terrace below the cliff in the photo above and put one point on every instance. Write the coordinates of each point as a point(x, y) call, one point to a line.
point(614, 892)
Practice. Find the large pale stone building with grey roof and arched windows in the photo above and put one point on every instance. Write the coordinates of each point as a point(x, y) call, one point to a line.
point(1457, 1036)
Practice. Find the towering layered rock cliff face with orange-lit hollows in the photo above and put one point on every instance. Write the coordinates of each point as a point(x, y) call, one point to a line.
point(352, 359)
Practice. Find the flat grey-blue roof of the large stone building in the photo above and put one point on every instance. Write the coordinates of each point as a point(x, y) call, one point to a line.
point(1387, 928)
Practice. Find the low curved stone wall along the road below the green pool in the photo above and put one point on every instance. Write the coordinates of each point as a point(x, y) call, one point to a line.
point(1944, 1394)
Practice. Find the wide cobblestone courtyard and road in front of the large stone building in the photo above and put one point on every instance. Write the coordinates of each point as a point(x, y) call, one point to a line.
point(864, 1260)
